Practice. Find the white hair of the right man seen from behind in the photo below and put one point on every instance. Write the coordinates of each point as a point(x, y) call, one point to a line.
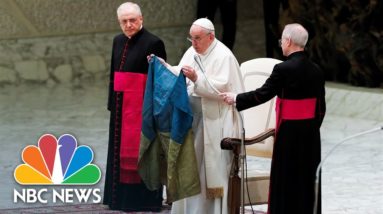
point(297, 33)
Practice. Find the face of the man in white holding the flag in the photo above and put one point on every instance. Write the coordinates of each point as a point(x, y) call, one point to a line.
point(200, 39)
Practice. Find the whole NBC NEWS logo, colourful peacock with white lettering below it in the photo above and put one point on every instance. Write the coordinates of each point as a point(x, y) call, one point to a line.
point(57, 162)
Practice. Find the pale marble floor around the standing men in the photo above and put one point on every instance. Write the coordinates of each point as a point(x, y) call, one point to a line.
point(352, 175)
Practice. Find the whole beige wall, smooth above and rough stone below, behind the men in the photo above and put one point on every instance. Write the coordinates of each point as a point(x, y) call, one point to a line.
point(69, 41)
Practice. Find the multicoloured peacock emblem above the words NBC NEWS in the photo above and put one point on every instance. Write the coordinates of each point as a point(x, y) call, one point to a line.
point(57, 162)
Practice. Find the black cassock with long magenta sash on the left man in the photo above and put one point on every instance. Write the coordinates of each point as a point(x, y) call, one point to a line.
point(124, 189)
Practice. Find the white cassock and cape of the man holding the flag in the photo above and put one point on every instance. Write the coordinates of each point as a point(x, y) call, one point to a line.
point(212, 121)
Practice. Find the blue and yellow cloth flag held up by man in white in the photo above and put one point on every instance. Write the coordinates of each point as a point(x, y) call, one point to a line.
point(167, 155)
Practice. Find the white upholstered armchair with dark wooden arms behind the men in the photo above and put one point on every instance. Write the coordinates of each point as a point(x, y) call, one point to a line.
point(258, 122)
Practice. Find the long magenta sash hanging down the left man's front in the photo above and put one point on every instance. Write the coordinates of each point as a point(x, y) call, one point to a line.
point(133, 87)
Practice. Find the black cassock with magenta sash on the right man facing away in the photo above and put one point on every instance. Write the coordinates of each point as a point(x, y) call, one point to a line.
point(299, 86)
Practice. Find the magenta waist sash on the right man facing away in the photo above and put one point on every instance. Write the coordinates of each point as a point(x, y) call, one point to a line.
point(287, 109)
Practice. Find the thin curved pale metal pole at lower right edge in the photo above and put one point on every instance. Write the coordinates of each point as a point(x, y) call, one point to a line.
point(316, 184)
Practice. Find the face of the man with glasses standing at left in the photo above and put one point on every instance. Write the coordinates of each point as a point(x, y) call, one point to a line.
point(130, 22)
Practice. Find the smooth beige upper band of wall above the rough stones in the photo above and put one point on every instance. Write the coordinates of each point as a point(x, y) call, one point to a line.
point(37, 18)
